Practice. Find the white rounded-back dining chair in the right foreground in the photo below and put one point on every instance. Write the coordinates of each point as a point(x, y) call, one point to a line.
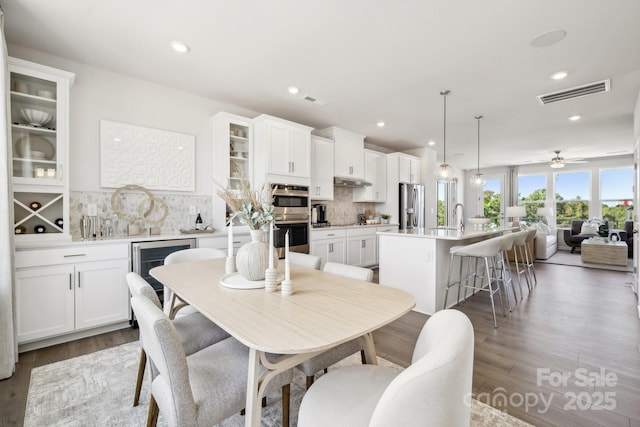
point(435, 390)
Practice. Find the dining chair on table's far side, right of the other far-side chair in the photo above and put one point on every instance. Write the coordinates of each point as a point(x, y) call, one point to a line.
point(324, 360)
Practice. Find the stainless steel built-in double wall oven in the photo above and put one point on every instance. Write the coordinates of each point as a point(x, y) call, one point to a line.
point(291, 210)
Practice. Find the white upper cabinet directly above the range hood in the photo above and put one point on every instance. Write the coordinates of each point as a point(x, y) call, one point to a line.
point(348, 152)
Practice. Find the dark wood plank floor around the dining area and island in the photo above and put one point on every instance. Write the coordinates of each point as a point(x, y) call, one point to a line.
point(576, 321)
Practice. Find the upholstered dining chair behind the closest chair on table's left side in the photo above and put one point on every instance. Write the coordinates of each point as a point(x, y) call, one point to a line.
point(195, 331)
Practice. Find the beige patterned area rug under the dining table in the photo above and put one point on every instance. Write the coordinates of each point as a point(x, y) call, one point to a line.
point(97, 390)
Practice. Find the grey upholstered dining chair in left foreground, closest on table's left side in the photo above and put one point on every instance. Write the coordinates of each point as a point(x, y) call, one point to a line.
point(200, 389)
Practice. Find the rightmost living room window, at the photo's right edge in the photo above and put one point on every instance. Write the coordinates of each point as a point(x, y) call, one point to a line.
point(616, 196)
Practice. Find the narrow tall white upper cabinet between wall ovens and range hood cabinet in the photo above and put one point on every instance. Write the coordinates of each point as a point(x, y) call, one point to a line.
point(321, 169)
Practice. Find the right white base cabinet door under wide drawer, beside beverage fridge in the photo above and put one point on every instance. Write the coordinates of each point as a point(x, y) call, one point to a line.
point(102, 295)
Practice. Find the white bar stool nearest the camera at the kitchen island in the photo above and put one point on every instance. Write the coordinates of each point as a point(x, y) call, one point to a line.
point(486, 250)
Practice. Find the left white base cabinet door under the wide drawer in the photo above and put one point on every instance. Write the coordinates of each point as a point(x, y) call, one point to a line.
point(45, 301)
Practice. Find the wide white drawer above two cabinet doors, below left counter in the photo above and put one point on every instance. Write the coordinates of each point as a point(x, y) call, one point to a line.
point(71, 254)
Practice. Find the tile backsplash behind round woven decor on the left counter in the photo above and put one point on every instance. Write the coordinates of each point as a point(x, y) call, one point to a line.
point(177, 209)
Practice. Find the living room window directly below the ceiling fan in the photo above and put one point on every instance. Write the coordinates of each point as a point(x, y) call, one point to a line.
point(572, 196)
